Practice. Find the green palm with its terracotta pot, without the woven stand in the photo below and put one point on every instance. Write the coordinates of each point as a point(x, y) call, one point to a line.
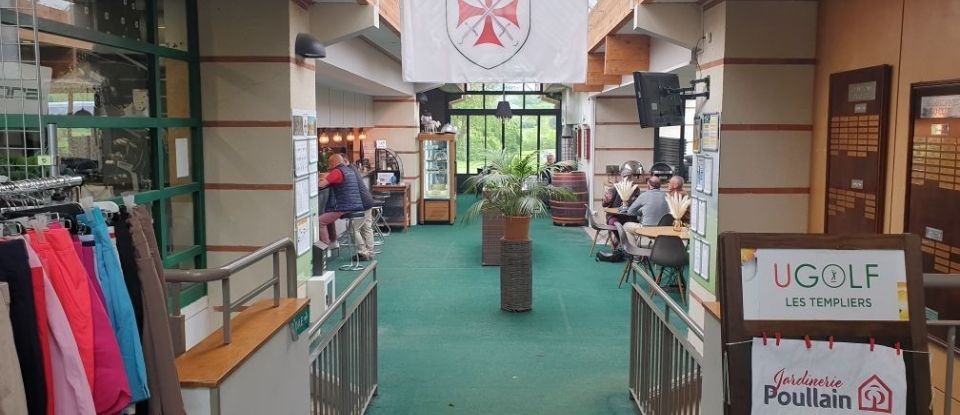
point(511, 185)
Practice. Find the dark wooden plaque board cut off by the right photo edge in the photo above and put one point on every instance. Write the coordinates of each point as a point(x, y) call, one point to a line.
point(933, 190)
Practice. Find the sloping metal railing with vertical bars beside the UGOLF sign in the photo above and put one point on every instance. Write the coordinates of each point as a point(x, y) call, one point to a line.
point(665, 368)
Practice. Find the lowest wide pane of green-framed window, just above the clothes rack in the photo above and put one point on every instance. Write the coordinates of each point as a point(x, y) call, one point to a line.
point(112, 161)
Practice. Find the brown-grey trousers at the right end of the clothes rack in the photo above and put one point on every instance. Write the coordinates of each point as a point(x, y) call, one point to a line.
point(157, 342)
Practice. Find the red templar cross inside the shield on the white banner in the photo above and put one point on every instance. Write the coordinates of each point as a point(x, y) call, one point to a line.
point(494, 15)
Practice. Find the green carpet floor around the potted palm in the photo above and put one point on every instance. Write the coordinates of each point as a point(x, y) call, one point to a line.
point(447, 348)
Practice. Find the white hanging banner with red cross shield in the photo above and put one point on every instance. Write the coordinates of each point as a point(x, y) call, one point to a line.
point(459, 41)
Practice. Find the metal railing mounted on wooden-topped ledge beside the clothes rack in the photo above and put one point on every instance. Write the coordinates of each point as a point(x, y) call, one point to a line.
point(177, 277)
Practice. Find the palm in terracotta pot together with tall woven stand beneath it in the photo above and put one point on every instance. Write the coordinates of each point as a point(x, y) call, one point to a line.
point(513, 186)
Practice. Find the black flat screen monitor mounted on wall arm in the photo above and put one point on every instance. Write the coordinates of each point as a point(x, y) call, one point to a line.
point(656, 106)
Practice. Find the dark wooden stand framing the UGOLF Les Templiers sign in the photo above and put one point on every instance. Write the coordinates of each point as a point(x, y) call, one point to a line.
point(888, 330)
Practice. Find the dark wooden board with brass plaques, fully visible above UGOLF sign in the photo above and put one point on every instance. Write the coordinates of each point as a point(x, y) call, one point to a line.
point(857, 144)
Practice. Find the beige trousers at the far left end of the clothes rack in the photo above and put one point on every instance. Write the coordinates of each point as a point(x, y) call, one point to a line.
point(13, 398)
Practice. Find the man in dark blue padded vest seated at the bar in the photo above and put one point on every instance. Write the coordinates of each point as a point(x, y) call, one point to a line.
point(345, 185)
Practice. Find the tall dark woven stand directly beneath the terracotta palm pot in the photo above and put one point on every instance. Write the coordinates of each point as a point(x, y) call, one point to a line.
point(516, 276)
